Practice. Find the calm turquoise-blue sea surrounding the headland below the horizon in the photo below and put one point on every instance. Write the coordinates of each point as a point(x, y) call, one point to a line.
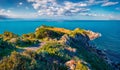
point(110, 30)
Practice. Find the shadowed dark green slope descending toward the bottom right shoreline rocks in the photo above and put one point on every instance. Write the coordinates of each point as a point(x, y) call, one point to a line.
point(94, 60)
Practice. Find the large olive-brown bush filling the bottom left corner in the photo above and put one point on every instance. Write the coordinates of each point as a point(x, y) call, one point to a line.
point(17, 61)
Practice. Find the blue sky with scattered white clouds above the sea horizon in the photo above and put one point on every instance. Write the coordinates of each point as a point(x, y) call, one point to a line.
point(61, 9)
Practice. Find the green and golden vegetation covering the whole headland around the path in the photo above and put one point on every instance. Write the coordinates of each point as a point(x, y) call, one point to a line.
point(53, 55)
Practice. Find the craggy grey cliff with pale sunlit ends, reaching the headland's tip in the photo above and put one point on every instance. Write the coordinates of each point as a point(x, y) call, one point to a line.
point(83, 38)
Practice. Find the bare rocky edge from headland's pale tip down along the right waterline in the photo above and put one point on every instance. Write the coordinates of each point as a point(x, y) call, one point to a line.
point(85, 40)
